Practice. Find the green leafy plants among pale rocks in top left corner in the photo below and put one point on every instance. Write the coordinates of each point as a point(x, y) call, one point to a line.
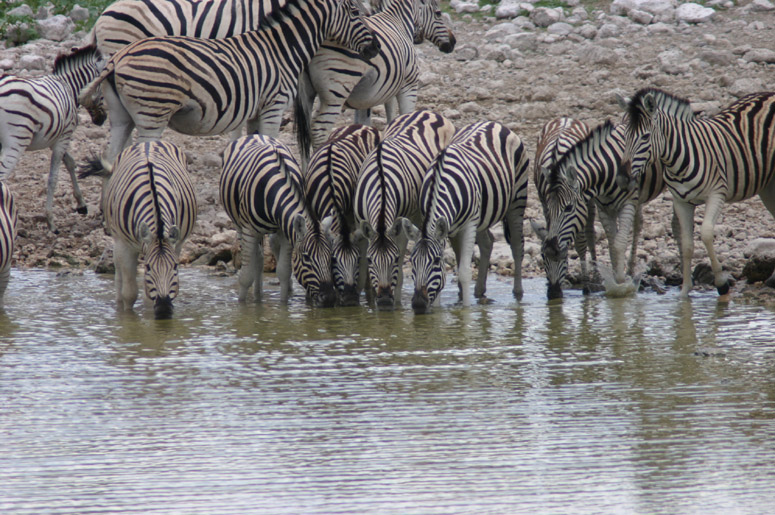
point(20, 29)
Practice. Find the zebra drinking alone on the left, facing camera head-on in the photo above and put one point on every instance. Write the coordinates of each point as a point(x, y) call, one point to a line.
point(149, 208)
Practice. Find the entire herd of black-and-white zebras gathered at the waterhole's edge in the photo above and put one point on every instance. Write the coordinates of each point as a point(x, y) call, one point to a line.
point(341, 219)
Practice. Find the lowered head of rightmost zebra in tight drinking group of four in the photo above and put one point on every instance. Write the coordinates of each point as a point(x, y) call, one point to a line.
point(428, 269)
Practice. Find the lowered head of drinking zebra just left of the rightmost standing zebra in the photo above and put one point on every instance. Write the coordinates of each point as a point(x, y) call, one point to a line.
point(565, 211)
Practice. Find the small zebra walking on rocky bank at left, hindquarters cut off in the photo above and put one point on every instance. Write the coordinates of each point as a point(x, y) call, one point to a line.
point(41, 113)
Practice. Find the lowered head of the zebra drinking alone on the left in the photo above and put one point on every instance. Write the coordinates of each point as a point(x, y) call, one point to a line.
point(161, 269)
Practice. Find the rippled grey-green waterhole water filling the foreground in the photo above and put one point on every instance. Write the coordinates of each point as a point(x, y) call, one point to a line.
point(645, 404)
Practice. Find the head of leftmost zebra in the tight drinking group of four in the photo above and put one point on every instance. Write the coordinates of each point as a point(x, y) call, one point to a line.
point(311, 261)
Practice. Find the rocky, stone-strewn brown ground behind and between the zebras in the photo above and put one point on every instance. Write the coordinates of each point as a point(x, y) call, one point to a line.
point(521, 71)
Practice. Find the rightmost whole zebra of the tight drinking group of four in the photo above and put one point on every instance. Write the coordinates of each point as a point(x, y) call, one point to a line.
point(478, 180)
